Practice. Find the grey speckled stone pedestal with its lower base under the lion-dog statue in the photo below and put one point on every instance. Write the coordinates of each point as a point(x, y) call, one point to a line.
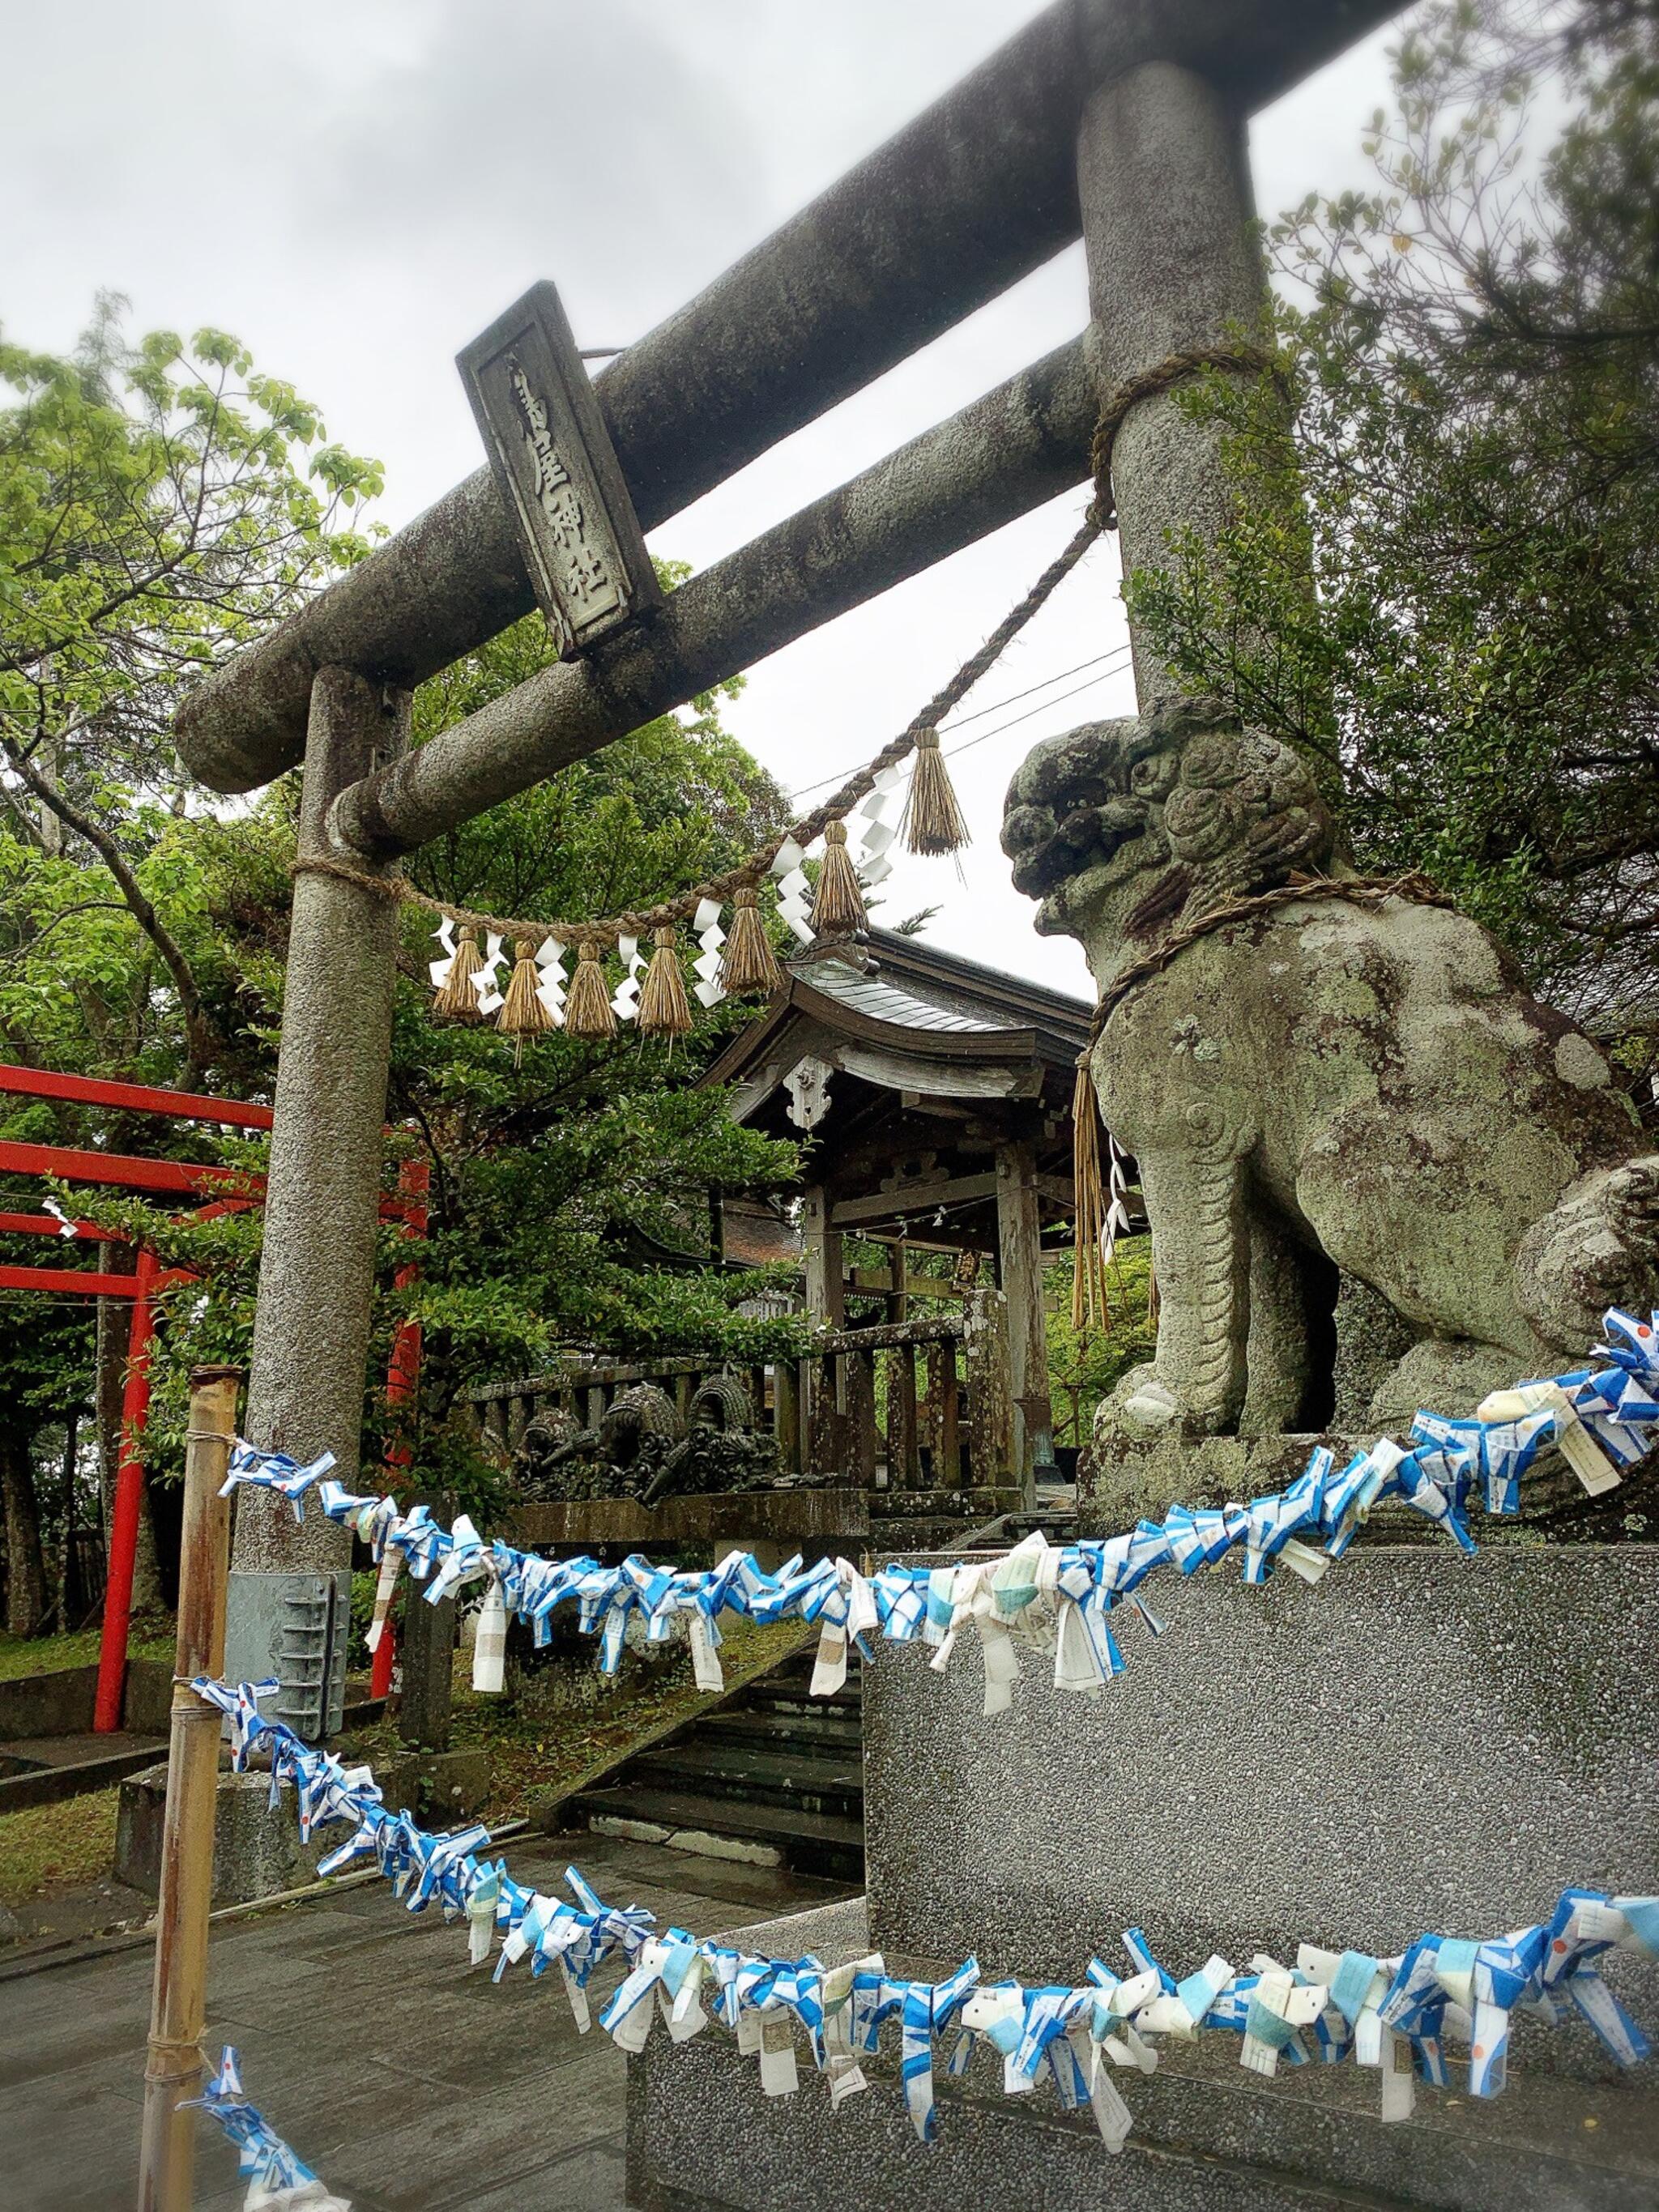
point(1423, 1742)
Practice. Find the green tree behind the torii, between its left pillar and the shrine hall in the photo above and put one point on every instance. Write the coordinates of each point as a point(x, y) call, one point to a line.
point(545, 1167)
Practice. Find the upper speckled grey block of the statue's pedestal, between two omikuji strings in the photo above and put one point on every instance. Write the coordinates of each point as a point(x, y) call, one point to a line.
point(1419, 1742)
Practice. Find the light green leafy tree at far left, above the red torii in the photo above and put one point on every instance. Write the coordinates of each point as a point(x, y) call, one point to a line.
point(160, 505)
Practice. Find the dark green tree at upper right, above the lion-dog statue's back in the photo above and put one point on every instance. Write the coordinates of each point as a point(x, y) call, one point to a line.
point(1472, 359)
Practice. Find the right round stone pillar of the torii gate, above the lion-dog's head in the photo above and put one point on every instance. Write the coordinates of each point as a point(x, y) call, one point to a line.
point(1173, 264)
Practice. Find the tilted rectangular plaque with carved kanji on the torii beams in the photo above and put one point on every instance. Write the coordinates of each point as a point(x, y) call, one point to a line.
point(559, 472)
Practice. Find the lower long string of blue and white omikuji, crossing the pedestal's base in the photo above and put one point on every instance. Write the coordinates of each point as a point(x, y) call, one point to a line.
point(1392, 2014)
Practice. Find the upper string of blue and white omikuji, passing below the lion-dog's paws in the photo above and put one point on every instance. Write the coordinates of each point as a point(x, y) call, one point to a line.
point(1047, 1598)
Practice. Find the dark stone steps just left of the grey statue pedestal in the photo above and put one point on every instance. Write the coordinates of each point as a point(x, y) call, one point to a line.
point(773, 1777)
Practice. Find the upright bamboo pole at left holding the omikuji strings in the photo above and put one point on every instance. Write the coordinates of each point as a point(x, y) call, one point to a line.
point(174, 2067)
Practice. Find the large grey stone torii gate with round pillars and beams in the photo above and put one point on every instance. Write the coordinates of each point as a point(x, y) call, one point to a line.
point(1118, 121)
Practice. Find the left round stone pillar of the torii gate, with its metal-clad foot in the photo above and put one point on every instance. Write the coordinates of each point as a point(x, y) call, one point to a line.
point(289, 1587)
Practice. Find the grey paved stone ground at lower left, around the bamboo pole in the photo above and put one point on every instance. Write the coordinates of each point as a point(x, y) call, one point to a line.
point(406, 2078)
